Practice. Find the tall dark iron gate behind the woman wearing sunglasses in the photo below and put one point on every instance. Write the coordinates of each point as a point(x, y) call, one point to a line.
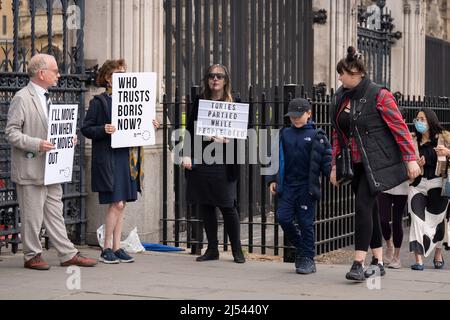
point(264, 43)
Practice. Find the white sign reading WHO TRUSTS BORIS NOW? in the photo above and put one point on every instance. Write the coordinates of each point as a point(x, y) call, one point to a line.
point(133, 109)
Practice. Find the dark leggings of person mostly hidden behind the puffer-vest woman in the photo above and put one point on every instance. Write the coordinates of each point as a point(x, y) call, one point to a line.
point(394, 204)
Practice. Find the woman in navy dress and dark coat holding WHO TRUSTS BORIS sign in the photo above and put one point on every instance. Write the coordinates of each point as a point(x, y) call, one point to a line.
point(116, 174)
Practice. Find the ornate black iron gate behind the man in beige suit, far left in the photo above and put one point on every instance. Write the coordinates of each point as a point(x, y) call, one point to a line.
point(54, 27)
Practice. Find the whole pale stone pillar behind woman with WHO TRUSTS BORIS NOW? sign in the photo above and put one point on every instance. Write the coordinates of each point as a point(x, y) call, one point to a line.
point(133, 30)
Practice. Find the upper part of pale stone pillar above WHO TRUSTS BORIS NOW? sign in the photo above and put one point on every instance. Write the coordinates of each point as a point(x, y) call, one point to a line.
point(133, 30)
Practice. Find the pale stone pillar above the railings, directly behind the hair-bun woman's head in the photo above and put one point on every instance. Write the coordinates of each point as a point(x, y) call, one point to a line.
point(333, 38)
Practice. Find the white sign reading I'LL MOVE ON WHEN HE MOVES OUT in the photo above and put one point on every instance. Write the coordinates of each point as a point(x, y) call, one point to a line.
point(61, 132)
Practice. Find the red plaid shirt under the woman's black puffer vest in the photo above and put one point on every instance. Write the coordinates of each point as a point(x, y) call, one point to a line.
point(391, 115)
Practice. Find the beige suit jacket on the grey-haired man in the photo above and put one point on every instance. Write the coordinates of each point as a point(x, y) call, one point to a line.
point(26, 126)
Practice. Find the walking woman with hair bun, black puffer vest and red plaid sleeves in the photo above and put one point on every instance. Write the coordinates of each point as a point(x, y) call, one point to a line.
point(367, 122)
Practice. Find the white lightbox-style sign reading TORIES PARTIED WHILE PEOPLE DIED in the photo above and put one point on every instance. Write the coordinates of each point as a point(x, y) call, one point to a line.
point(225, 119)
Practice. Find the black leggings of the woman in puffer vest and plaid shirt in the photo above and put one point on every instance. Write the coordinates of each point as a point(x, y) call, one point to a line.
point(367, 218)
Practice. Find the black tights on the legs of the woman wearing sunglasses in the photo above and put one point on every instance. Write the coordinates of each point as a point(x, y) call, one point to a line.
point(231, 222)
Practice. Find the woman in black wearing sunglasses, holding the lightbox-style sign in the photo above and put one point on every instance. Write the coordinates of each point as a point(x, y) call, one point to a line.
point(213, 185)
